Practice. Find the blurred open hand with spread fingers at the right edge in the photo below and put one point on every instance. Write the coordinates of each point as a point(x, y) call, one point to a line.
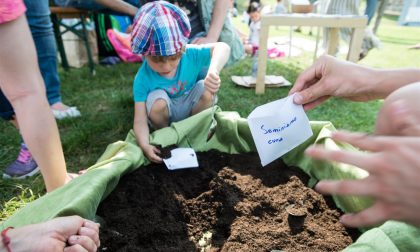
point(393, 164)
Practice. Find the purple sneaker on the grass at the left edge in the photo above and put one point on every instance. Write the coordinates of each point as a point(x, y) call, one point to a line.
point(24, 166)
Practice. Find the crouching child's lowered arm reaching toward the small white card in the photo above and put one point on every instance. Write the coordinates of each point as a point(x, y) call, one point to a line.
point(141, 129)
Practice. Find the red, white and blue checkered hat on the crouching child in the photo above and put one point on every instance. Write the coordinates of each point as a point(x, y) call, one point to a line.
point(159, 29)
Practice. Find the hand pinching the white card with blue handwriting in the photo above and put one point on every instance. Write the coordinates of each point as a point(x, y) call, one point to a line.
point(331, 77)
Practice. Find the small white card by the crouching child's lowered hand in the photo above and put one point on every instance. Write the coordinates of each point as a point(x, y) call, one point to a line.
point(181, 158)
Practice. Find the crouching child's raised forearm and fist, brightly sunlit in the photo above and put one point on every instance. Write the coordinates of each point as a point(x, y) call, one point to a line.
point(220, 53)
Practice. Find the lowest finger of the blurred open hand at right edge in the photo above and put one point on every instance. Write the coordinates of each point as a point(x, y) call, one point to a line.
point(368, 217)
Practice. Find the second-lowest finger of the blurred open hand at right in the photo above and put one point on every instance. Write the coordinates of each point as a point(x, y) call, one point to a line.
point(362, 187)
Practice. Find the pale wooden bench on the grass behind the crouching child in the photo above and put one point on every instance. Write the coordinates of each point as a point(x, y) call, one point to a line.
point(356, 23)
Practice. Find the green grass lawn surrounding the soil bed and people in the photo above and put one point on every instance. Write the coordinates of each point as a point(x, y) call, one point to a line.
point(105, 101)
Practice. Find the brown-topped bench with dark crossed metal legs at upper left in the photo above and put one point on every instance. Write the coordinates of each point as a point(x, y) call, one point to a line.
point(60, 13)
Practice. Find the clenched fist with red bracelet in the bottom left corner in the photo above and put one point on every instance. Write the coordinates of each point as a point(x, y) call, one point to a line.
point(67, 234)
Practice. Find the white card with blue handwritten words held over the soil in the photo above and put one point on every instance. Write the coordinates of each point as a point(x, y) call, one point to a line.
point(278, 127)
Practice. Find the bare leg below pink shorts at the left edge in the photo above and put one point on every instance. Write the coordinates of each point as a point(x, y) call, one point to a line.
point(22, 84)
